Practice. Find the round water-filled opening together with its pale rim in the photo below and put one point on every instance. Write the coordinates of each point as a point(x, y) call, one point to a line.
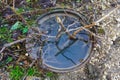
point(58, 51)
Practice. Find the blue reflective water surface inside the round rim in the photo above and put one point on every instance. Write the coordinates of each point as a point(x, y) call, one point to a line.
point(58, 50)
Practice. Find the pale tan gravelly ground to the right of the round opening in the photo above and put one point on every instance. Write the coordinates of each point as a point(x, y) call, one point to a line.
point(105, 63)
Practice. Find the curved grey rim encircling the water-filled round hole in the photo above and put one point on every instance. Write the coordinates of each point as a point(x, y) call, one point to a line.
point(81, 16)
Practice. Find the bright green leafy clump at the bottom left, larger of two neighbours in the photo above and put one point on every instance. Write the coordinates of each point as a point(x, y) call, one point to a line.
point(16, 73)
